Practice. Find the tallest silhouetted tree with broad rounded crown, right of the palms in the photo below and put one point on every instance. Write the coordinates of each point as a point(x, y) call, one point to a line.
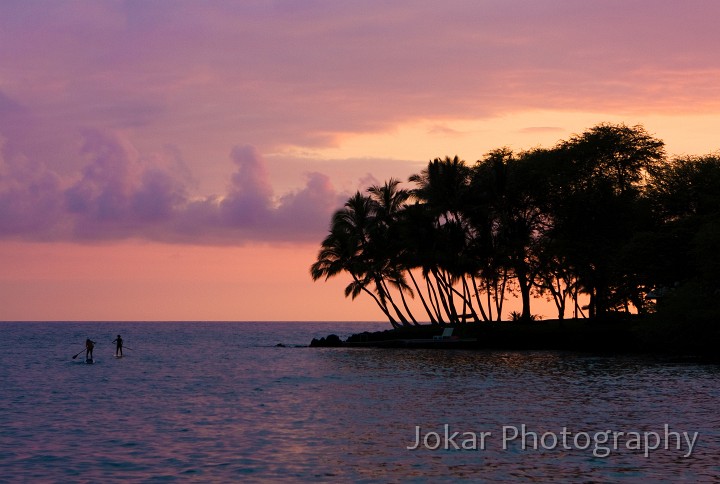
point(599, 178)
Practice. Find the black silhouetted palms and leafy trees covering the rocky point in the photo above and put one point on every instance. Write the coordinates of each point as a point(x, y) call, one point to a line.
point(621, 237)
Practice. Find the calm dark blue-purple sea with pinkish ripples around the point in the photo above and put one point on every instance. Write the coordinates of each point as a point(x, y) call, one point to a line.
point(219, 402)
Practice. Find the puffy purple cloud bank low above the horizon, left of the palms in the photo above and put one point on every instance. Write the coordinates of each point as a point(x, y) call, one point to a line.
point(118, 195)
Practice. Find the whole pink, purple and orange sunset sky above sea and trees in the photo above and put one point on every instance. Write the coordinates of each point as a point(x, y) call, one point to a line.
point(180, 160)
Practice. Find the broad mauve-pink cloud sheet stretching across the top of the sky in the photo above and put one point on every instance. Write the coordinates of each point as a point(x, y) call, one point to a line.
point(302, 74)
